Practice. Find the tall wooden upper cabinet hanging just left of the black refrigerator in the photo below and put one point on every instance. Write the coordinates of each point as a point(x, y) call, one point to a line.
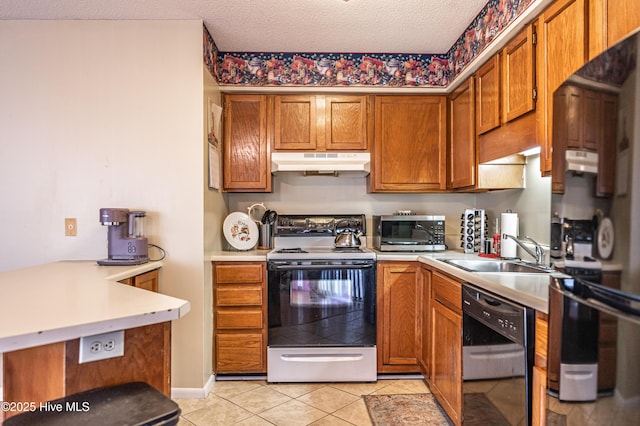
point(561, 50)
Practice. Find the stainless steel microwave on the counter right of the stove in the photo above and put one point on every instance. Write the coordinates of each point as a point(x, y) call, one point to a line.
point(409, 233)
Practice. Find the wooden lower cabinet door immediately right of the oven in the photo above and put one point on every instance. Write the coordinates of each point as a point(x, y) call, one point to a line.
point(399, 291)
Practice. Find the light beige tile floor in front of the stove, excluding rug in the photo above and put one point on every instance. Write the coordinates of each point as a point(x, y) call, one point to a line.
point(250, 403)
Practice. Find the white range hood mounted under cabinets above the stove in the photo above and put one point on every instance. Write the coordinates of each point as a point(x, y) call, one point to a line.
point(322, 163)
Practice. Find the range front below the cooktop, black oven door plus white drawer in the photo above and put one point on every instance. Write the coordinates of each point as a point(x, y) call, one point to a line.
point(322, 321)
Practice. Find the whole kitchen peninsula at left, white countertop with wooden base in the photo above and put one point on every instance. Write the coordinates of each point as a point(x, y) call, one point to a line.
point(46, 309)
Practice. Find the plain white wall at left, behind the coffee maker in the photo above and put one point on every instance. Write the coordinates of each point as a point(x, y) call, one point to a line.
point(106, 114)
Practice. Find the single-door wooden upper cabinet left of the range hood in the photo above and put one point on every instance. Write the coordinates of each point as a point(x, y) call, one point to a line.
point(246, 166)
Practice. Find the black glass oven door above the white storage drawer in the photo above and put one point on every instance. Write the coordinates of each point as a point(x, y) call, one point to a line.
point(322, 303)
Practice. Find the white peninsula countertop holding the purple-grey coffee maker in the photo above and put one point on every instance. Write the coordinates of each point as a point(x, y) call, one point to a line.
point(65, 300)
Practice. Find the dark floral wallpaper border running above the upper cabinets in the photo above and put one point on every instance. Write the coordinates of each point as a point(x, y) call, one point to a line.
point(358, 69)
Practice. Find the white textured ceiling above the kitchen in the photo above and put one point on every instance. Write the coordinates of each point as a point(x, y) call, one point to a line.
point(372, 26)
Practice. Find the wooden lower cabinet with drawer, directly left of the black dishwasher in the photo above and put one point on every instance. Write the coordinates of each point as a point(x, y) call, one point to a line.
point(446, 344)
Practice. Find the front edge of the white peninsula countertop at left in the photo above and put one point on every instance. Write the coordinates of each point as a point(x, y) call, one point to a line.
point(25, 341)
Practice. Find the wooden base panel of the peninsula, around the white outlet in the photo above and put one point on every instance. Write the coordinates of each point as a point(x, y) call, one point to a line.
point(48, 372)
